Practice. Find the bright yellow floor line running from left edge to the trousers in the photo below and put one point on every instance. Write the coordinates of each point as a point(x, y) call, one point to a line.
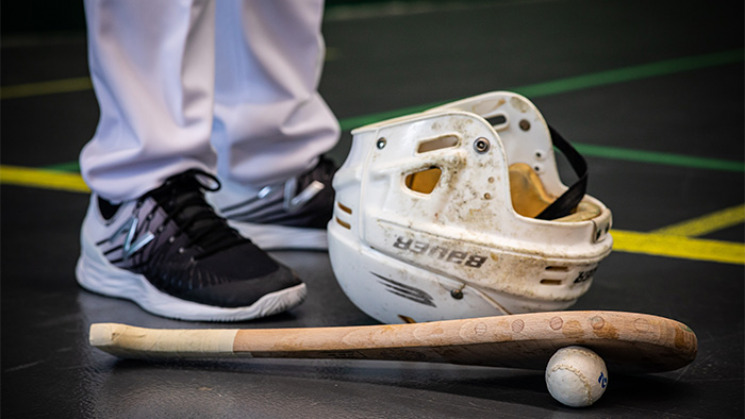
point(49, 179)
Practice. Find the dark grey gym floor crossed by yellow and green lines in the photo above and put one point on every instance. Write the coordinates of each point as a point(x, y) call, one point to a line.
point(651, 92)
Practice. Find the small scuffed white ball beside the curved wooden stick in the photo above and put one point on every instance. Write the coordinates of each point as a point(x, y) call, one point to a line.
point(576, 376)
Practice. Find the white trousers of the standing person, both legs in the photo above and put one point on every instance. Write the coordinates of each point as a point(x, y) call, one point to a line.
point(227, 86)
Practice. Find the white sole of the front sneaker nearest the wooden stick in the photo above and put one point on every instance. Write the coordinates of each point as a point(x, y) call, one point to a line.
point(96, 274)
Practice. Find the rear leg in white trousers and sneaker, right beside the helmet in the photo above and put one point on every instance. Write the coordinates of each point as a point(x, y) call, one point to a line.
point(271, 125)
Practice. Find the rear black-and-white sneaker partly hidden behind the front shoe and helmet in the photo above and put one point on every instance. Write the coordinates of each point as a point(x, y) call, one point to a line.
point(289, 215)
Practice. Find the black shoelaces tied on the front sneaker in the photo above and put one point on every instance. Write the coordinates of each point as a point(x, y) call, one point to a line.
point(182, 197)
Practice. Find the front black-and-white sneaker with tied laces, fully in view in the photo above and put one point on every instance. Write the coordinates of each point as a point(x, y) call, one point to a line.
point(170, 253)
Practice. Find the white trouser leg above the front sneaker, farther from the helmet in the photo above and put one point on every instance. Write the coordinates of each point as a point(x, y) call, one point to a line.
point(152, 65)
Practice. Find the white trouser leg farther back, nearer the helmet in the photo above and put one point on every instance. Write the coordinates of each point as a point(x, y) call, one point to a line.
point(270, 122)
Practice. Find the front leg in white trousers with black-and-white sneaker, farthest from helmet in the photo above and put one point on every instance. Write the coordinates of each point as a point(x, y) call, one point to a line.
point(149, 235)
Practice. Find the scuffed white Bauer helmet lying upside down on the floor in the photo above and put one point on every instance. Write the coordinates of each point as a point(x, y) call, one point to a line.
point(448, 214)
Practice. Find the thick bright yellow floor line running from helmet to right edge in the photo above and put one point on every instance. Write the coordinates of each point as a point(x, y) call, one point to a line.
point(678, 247)
